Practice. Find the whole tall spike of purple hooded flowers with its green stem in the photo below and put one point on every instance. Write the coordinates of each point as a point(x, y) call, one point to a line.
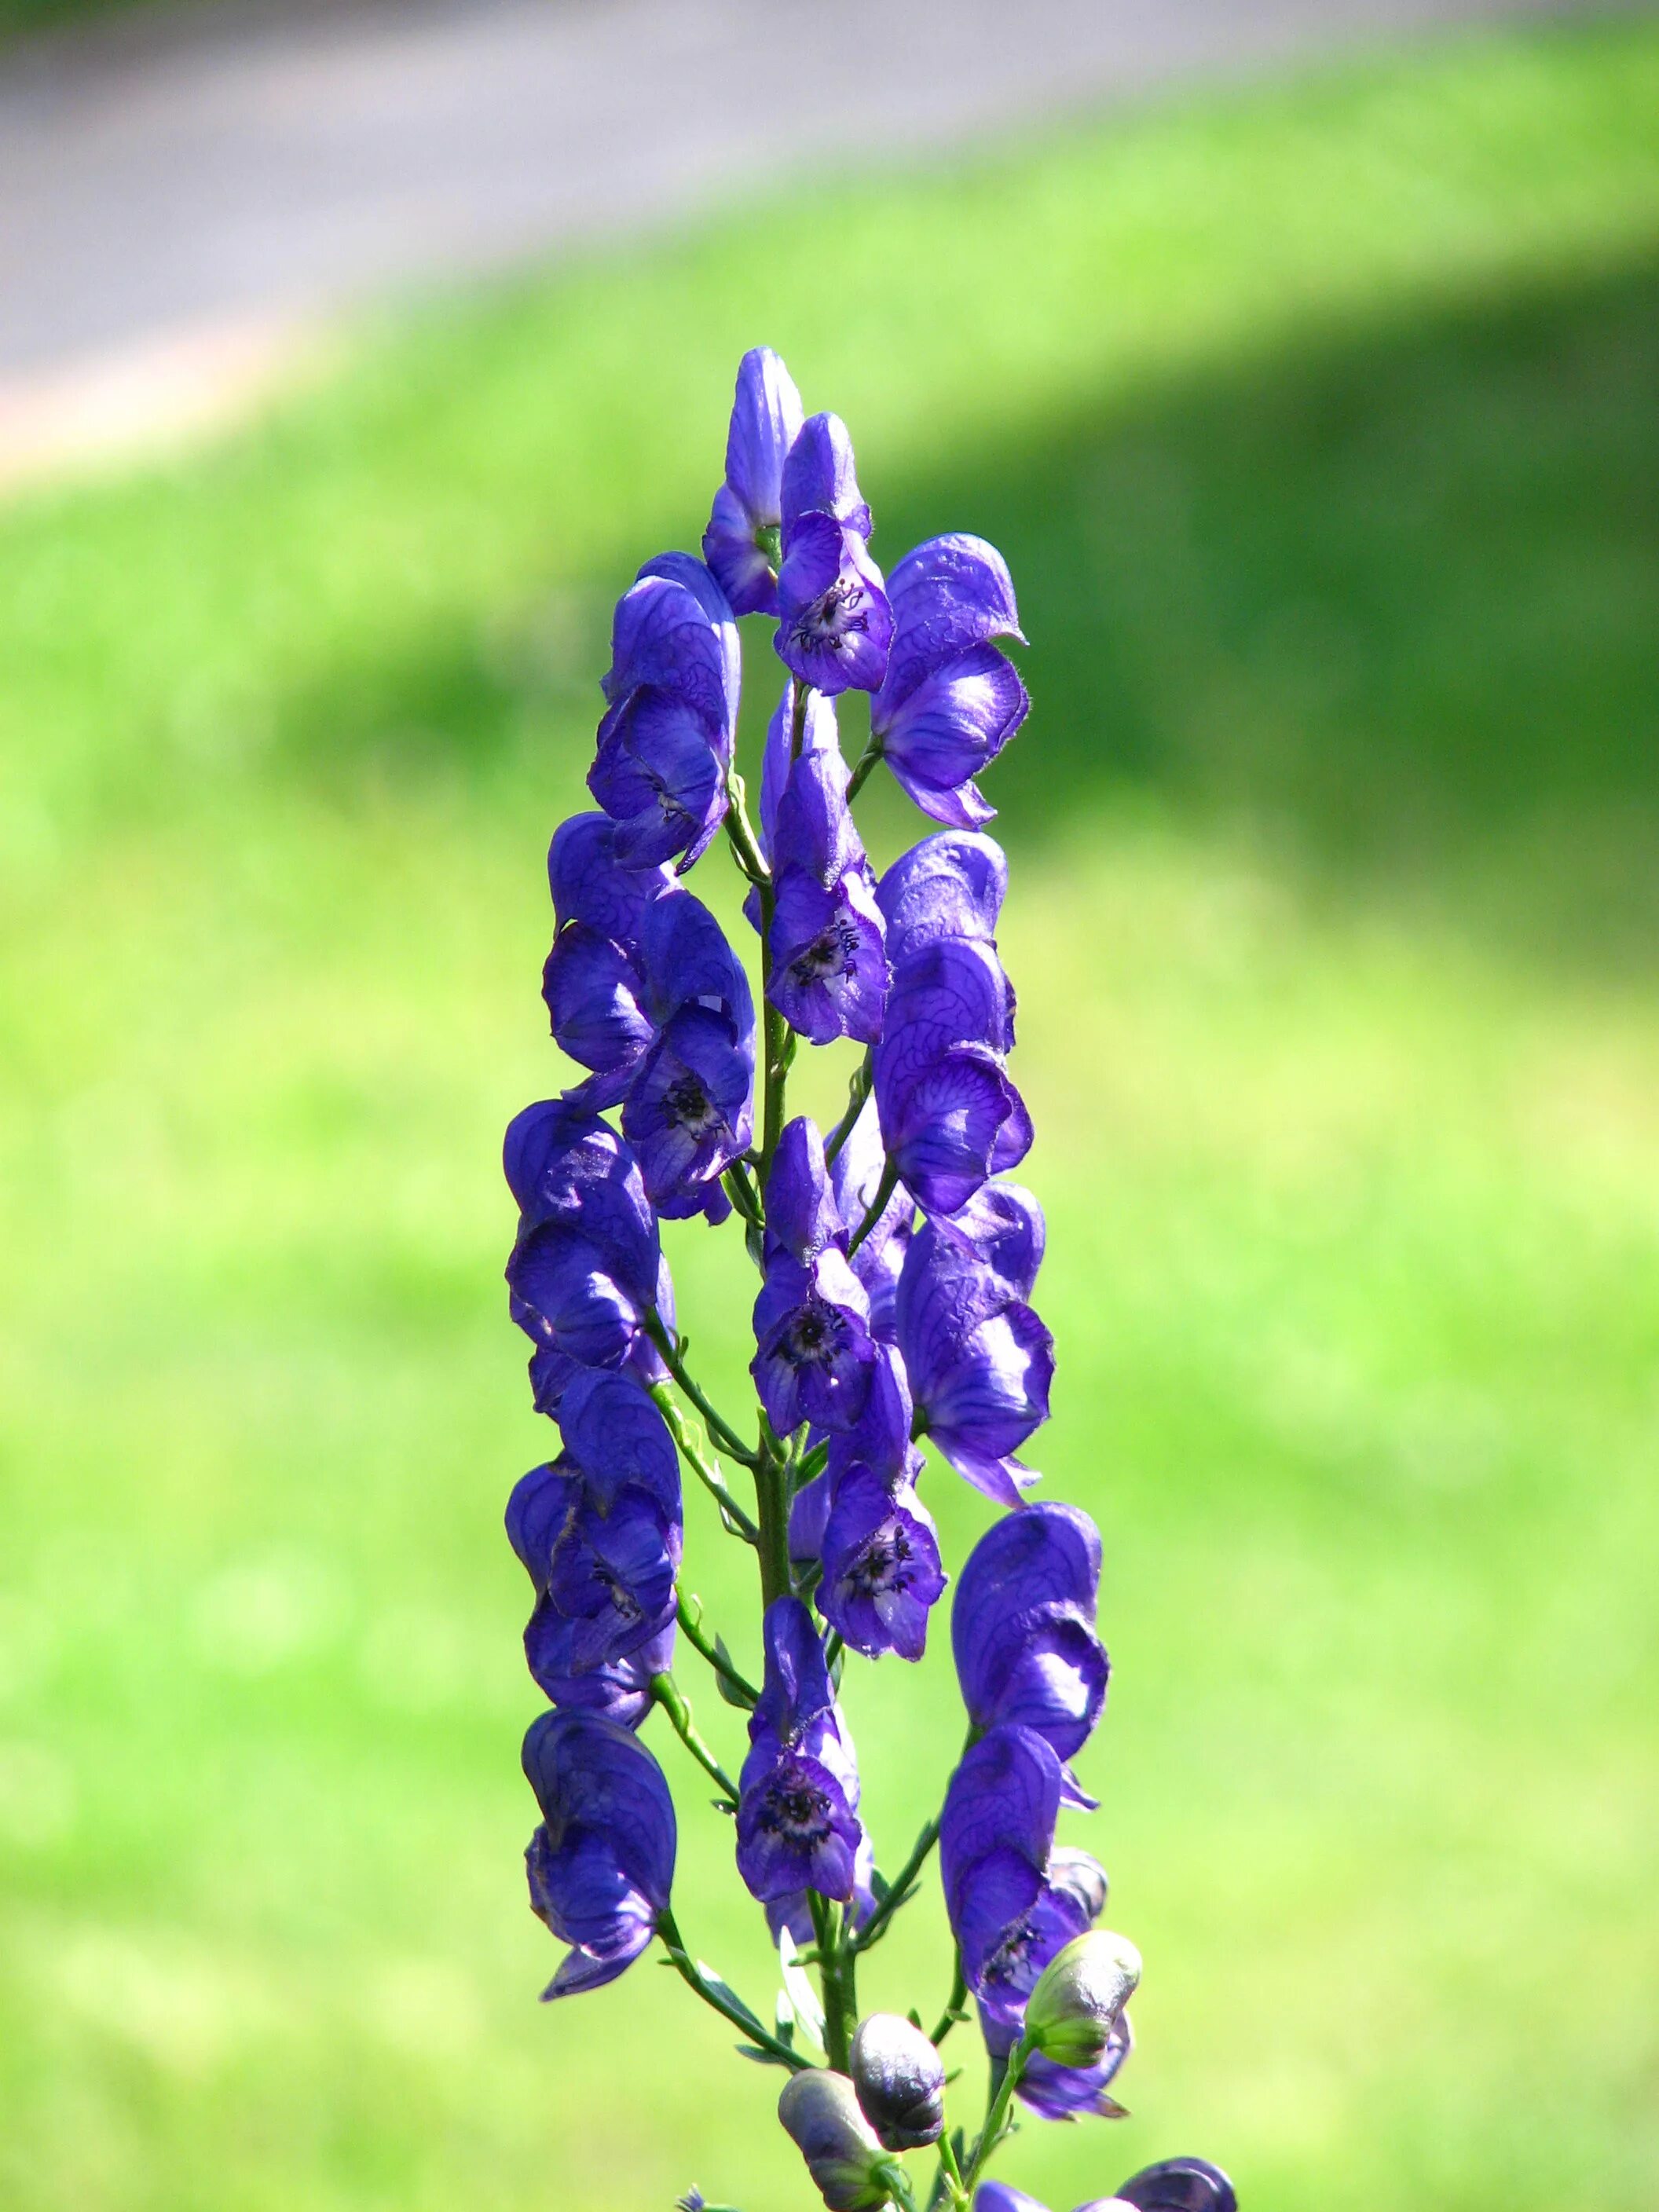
point(895, 1302)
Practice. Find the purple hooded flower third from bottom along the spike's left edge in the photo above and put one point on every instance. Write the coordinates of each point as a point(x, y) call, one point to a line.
point(587, 1262)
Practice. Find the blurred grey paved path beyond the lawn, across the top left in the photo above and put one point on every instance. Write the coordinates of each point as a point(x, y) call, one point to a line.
point(182, 202)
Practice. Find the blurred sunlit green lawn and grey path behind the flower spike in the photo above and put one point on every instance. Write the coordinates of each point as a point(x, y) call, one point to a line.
point(1304, 359)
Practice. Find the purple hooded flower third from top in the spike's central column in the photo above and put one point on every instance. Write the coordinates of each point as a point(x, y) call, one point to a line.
point(815, 1353)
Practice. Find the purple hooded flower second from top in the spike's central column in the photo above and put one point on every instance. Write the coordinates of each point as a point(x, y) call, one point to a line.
point(826, 948)
